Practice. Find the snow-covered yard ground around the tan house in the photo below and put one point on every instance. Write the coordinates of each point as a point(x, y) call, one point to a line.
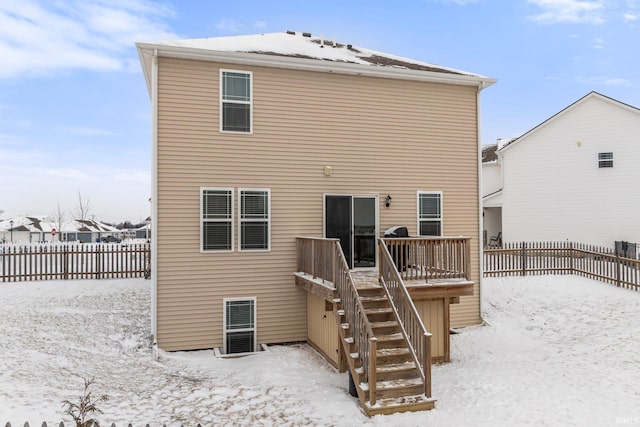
point(558, 350)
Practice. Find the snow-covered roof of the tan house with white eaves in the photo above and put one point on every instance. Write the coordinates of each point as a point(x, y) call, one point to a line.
point(303, 51)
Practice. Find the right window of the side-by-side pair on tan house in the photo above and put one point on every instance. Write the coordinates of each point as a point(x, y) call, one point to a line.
point(255, 219)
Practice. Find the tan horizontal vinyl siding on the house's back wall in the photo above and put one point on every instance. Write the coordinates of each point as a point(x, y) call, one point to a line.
point(380, 136)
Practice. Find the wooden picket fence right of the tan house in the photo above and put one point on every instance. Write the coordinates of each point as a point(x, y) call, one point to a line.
point(535, 258)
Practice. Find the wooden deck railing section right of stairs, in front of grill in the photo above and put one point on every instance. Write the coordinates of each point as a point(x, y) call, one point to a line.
point(424, 258)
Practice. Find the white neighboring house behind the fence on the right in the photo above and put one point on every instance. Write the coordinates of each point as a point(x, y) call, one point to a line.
point(573, 177)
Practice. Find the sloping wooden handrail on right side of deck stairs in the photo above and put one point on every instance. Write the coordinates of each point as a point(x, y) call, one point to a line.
point(411, 324)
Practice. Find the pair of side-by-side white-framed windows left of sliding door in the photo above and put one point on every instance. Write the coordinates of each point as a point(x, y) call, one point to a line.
point(217, 219)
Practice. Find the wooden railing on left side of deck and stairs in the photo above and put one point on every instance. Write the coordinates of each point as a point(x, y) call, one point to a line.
point(323, 259)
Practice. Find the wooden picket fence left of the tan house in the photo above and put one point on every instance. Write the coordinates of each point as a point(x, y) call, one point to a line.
point(73, 261)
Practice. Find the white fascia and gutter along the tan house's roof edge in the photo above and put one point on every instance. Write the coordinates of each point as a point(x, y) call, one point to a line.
point(294, 63)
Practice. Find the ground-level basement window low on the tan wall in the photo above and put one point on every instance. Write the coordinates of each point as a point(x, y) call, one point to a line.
point(239, 325)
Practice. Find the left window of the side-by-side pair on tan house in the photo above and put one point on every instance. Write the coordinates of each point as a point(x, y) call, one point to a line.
point(217, 219)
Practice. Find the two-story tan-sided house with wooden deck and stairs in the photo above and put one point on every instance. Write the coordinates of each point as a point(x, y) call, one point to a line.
point(279, 160)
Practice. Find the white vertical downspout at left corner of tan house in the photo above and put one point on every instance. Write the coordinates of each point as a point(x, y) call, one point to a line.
point(154, 200)
